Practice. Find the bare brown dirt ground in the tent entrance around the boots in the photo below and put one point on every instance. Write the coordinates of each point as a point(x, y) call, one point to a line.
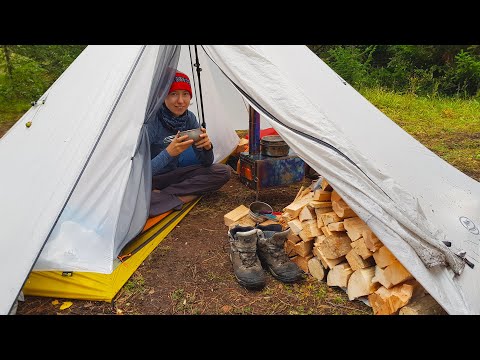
point(190, 272)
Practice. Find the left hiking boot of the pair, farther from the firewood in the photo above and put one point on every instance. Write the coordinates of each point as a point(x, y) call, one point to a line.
point(243, 255)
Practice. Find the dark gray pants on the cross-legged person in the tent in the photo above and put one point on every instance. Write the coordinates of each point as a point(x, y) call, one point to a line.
point(188, 180)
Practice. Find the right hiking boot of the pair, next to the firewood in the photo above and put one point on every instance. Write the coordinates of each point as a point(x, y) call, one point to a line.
point(272, 254)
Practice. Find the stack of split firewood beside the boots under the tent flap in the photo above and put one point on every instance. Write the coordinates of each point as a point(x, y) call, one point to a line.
point(331, 243)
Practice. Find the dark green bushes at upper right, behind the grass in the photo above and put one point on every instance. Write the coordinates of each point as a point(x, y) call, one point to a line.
point(425, 70)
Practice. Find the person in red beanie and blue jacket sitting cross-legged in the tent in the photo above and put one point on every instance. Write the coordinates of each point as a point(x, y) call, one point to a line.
point(181, 169)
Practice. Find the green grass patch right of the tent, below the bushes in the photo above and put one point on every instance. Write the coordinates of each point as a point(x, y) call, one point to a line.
point(448, 127)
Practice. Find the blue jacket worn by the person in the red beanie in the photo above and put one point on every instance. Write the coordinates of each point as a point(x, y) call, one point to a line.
point(162, 162)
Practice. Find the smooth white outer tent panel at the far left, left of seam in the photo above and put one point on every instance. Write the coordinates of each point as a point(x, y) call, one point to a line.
point(41, 164)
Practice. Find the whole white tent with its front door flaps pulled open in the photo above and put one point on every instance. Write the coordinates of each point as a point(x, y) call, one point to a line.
point(74, 188)
